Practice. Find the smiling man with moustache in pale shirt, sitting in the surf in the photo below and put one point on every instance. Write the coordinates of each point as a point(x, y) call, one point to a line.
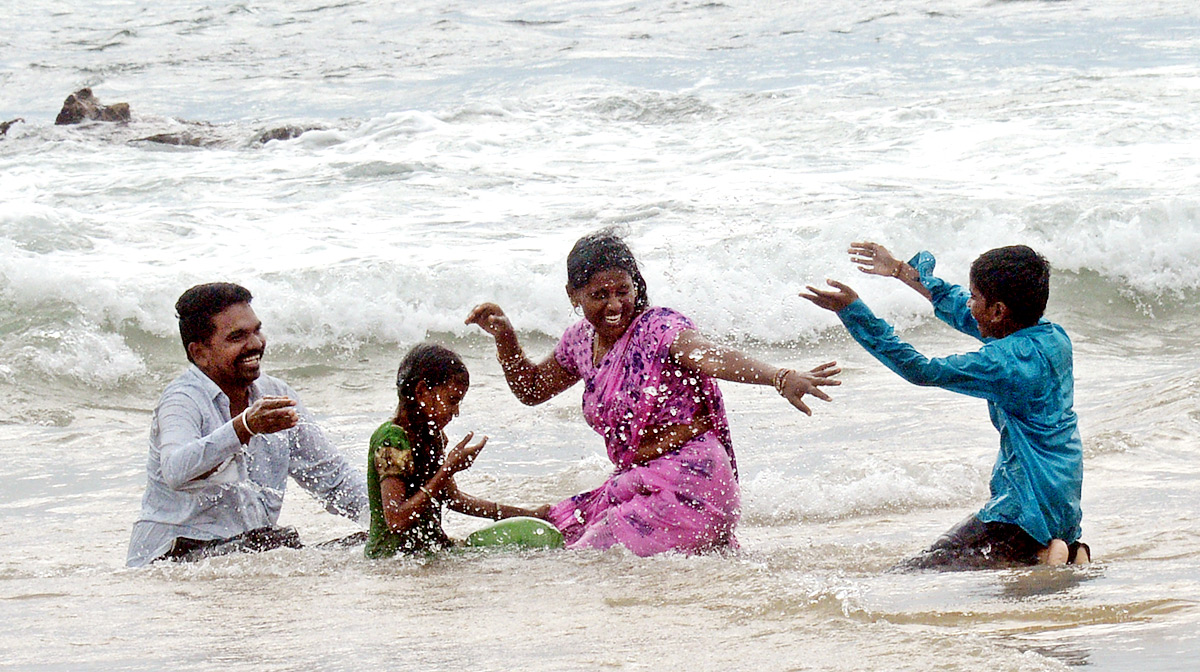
point(224, 441)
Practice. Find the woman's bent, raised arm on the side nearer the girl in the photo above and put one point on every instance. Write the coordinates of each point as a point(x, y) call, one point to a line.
point(532, 383)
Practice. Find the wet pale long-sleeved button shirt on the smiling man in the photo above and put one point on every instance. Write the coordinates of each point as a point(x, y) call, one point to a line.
point(203, 484)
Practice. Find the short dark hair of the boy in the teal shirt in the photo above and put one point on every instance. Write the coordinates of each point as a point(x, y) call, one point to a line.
point(1018, 277)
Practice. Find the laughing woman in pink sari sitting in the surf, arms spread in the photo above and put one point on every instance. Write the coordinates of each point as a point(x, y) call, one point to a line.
point(651, 392)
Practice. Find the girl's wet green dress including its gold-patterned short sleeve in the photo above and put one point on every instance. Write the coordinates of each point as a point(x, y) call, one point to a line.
point(392, 457)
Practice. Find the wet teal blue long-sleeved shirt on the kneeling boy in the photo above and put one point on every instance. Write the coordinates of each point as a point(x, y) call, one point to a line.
point(1029, 382)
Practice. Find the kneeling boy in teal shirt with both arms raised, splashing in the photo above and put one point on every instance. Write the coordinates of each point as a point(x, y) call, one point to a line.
point(1024, 370)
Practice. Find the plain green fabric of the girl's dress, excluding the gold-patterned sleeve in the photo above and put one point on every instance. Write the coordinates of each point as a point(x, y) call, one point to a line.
point(427, 535)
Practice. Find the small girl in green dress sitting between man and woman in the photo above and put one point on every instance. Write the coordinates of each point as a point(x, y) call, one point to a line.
point(411, 475)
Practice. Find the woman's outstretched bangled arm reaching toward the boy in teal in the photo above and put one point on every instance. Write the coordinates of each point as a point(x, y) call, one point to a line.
point(701, 356)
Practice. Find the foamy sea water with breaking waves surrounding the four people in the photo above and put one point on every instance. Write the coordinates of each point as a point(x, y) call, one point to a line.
point(459, 151)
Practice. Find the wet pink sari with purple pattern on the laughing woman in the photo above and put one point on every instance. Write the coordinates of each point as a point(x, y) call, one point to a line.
point(687, 501)
